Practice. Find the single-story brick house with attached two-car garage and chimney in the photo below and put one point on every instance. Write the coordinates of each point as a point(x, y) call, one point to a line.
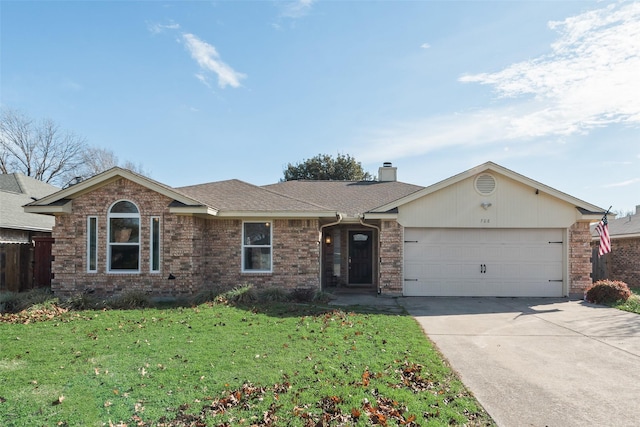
point(487, 231)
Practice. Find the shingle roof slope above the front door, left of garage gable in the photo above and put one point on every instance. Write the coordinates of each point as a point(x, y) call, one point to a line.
point(350, 197)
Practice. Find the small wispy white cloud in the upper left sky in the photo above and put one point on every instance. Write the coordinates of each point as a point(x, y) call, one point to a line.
point(209, 60)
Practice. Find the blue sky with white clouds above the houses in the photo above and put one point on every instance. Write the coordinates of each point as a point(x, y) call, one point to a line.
point(200, 91)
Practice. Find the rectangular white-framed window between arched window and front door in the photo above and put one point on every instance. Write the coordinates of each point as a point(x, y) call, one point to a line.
point(256, 246)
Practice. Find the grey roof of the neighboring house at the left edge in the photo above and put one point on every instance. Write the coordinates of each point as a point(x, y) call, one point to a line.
point(16, 190)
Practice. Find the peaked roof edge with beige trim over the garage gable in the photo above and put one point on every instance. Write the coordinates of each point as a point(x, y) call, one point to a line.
point(586, 210)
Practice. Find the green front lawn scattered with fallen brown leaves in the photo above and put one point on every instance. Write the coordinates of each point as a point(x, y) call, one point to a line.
point(276, 365)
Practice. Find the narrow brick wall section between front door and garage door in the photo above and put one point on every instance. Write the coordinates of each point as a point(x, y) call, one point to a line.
point(391, 246)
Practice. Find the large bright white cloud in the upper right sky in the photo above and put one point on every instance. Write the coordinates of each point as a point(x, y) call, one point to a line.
point(588, 80)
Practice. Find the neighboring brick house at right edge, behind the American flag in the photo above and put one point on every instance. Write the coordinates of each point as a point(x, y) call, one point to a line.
point(623, 262)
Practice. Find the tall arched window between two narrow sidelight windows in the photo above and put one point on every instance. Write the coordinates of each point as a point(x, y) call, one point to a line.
point(123, 252)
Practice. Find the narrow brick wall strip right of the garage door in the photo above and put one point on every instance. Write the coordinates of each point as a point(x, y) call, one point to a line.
point(579, 258)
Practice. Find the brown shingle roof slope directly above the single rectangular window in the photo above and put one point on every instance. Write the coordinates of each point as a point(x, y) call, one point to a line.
point(236, 195)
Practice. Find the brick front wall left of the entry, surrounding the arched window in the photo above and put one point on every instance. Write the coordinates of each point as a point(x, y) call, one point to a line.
point(196, 251)
